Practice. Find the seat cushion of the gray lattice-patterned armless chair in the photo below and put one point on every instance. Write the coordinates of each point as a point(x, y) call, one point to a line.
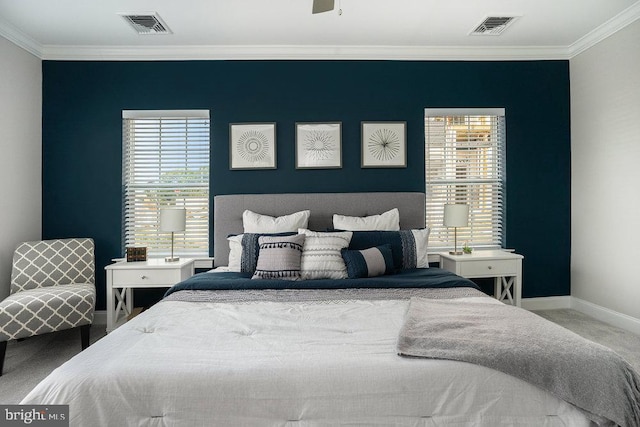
point(49, 309)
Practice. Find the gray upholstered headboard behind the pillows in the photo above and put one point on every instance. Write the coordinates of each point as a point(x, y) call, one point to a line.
point(227, 211)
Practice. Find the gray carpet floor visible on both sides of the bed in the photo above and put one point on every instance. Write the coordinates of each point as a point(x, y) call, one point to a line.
point(27, 362)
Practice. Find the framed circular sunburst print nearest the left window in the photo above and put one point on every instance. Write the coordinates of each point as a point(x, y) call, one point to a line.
point(252, 146)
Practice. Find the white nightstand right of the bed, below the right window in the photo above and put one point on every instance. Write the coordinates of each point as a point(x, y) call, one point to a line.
point(505, 267)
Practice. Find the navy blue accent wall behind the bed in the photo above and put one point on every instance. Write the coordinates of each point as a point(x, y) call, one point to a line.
point(82, 137)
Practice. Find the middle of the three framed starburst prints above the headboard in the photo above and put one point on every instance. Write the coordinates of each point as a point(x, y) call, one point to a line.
point(319, 145)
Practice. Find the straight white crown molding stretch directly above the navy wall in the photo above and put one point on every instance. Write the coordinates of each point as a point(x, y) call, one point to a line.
point(257, 52)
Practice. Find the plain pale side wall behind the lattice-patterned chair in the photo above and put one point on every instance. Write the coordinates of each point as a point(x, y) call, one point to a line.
point(20, 153)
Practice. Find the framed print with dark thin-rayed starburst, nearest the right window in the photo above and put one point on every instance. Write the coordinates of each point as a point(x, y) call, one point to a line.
point(384, 144)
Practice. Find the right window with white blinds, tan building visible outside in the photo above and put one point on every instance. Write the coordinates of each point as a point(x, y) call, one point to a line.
point(464, 159)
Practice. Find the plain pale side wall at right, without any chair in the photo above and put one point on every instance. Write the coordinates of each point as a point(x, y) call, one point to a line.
point(605, 144)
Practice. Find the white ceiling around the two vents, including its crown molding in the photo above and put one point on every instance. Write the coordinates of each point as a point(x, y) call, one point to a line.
point(286, 29)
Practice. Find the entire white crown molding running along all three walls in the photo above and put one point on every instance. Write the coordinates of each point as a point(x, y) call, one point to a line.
point(318, 52)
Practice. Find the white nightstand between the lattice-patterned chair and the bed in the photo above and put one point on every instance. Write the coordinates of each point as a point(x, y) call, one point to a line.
point(124, 276)
